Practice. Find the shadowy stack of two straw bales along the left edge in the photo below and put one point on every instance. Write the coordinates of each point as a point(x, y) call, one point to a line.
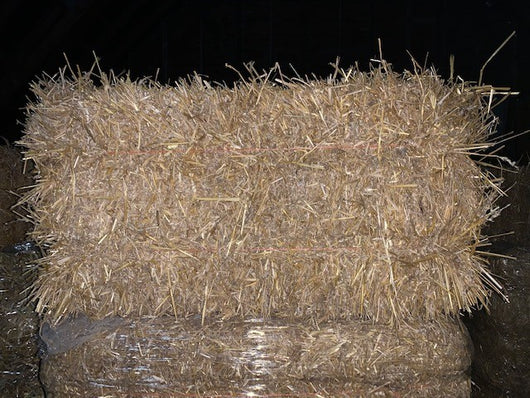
point(18, 322)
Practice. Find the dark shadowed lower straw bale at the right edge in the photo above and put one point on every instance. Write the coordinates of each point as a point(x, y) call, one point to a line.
point(502, 356)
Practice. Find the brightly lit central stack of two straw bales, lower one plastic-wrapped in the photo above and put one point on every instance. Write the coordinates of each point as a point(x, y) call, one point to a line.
point(265, 238)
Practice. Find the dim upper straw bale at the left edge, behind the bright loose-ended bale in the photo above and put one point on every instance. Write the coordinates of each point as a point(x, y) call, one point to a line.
point(12, 180)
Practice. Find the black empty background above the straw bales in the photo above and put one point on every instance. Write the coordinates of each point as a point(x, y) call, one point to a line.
point(171, 39)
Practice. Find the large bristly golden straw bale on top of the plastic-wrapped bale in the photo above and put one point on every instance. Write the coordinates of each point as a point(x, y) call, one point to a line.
point(335, 198)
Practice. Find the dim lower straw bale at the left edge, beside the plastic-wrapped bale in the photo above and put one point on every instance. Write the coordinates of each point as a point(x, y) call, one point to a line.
point(19, 363)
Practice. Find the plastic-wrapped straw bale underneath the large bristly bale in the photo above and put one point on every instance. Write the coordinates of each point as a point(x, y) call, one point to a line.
point(164, 357)
